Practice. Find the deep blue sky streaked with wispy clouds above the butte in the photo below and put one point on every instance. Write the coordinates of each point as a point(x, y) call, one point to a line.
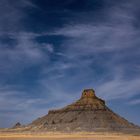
point(50, 50)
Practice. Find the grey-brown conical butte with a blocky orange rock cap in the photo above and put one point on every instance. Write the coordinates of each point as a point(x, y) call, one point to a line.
point(89, 113)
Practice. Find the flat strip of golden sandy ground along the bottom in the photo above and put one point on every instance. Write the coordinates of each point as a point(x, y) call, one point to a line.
point(62, 136)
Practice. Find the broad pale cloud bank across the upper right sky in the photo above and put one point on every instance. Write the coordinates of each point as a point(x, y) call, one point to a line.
point(91, 39)
